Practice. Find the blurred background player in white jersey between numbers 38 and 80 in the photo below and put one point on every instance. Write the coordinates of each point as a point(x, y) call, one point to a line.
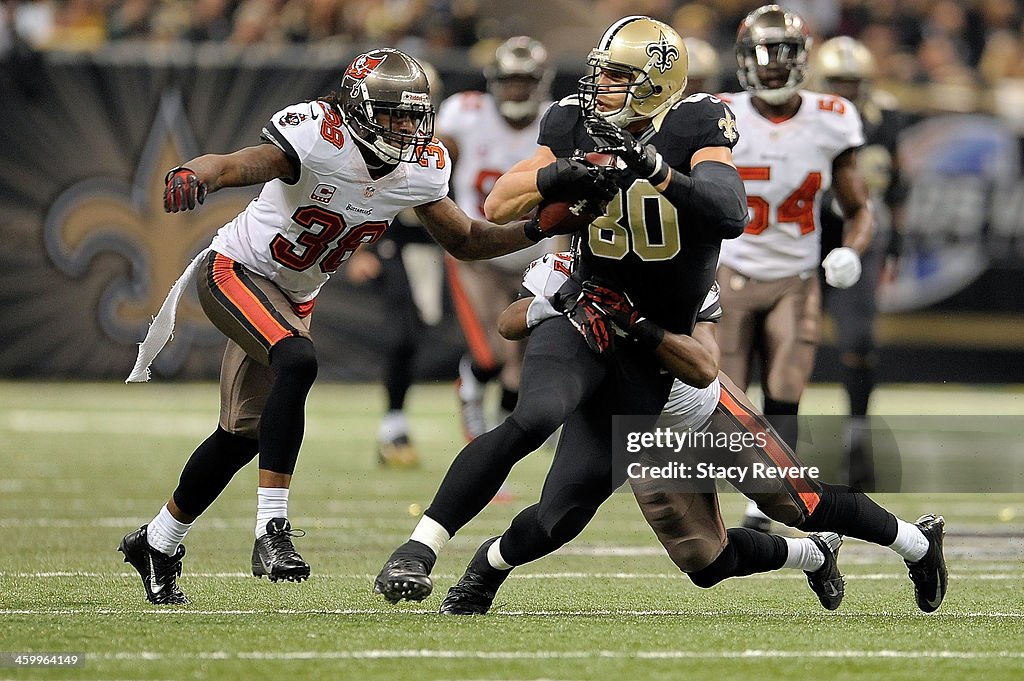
point(487, 134)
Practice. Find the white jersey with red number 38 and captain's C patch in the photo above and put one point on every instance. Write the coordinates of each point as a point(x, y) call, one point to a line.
point(298, 234)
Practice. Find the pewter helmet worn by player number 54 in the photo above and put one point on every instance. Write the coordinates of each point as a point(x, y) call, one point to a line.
point(773, 38)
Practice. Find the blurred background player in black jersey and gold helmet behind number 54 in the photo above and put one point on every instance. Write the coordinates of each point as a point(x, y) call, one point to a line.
point(847, 69)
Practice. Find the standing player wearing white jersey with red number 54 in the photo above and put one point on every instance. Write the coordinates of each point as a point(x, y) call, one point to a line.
point(795, 146)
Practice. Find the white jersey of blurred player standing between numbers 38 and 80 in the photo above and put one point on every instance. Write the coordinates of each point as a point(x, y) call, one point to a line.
point(488, 148)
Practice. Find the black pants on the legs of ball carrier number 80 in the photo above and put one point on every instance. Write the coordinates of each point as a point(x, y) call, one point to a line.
point(563, 382)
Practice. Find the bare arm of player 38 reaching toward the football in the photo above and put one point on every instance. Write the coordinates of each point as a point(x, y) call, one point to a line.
point(467, 239)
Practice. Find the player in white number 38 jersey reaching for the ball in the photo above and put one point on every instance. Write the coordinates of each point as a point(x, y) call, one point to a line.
point(337, 172)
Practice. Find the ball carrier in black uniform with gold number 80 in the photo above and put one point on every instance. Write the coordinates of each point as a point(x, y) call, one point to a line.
point(679, 197)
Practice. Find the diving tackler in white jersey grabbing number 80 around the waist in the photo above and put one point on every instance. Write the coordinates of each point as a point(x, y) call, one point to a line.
point(687, 519)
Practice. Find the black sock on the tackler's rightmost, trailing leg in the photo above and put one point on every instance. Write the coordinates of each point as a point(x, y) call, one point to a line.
point(851, 513)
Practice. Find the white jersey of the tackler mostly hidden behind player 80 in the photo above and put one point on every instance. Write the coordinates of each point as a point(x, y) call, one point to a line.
point(688, 408)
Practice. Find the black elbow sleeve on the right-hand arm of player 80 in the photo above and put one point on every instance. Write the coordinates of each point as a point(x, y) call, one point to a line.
point(713, 194)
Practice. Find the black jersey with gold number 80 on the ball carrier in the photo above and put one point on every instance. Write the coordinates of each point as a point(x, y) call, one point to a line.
point(664, 260)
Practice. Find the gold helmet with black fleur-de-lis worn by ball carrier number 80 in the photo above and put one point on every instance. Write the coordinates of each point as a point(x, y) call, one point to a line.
point(652, 56)
